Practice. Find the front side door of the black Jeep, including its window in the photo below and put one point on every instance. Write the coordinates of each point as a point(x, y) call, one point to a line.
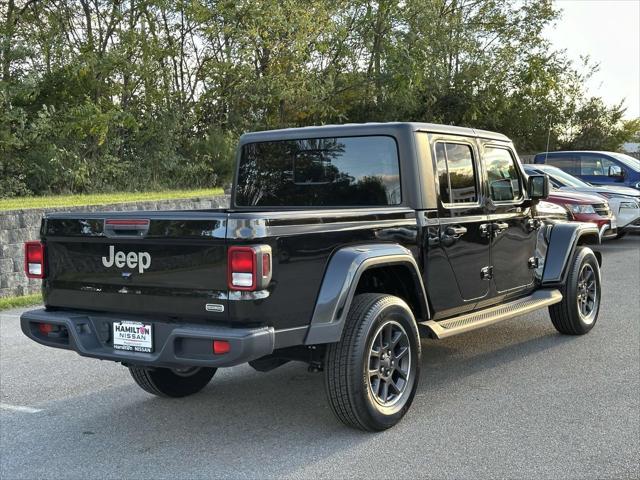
point(513, 233)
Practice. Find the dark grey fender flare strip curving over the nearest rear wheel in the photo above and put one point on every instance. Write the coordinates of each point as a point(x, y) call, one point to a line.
point(341, 278)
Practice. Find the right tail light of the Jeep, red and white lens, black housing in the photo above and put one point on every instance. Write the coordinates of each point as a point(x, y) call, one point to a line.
point(249, 267)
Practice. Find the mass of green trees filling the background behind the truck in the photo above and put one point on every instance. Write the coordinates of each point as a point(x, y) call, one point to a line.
point(104, 95)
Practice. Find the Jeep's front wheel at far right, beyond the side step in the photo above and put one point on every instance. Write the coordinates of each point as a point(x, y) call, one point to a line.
point(577, 313)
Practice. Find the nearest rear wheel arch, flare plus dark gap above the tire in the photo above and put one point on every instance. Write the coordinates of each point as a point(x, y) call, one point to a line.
point(369, 268)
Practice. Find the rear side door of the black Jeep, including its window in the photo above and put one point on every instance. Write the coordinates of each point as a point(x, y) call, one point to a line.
point(462, 253)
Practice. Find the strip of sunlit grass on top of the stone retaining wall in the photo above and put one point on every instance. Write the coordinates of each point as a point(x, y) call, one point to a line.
point(20, 203)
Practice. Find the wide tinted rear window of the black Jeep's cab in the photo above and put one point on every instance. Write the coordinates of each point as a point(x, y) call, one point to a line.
point(319, 172)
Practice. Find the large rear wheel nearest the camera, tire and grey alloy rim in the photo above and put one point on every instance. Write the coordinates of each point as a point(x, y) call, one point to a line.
point(371, 375)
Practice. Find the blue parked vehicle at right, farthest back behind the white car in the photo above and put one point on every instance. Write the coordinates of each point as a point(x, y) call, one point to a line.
point(597, 168)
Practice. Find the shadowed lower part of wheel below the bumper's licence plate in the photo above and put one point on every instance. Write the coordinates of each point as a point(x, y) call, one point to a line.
point(167, 382)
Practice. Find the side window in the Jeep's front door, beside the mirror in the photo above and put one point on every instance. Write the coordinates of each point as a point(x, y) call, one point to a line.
point(502, 175)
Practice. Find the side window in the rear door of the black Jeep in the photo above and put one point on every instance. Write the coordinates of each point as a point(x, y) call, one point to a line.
point(456, 173)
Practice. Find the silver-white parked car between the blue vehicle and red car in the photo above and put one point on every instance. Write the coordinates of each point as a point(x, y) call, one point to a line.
point(623, 201)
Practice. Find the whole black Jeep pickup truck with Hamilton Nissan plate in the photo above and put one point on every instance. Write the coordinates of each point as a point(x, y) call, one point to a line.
point(342, 246)
